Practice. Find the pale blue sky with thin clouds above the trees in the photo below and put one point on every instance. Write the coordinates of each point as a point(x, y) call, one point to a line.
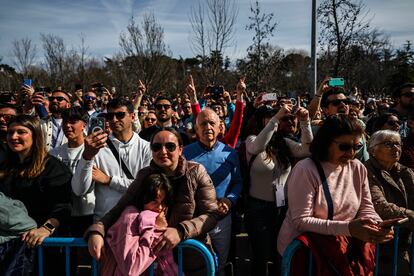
point(102, 21)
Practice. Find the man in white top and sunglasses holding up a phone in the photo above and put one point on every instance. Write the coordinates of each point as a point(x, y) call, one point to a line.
point(99, 164)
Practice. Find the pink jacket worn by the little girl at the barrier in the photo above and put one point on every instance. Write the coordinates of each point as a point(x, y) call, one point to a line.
point(130, 242)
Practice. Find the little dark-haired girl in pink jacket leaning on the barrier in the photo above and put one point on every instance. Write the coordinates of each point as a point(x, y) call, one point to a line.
point(129, 241)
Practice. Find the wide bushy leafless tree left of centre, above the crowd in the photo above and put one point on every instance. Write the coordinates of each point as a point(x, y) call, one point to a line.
point(146, 54)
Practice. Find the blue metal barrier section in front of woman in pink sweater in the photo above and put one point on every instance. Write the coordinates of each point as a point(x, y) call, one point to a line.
point(296, 245)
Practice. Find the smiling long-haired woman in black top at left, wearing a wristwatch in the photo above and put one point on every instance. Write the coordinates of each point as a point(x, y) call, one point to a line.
point(37, 179)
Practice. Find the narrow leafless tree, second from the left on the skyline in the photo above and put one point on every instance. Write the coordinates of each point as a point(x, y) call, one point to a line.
point(55, 53)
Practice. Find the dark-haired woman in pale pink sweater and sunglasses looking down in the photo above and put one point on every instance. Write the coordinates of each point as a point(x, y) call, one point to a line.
point(330, 205)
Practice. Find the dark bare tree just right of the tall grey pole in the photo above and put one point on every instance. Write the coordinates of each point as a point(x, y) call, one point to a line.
point(342, 24)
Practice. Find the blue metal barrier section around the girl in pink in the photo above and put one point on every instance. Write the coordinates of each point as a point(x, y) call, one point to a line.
point(80, 242)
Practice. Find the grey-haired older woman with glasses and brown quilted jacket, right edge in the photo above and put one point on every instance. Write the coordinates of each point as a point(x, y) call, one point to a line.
point(392, 191)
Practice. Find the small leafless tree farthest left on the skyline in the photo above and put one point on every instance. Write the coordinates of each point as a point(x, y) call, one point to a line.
point(24, 54)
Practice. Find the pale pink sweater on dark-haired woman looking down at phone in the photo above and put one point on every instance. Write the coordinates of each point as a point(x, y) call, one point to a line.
point(308, 211)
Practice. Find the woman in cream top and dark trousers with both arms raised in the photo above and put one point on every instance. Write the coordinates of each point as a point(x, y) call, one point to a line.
point(270, 156)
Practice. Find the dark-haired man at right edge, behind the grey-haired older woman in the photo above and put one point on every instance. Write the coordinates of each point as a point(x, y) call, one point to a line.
point(404, 96)
